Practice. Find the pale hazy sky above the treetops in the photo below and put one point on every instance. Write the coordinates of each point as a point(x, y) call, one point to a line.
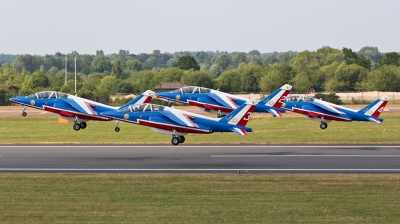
point(50, 26)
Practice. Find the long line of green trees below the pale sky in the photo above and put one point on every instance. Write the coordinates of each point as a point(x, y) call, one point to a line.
point(326, 69)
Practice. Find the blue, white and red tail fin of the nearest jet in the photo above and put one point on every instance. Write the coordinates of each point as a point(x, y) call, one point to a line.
point(241, 115)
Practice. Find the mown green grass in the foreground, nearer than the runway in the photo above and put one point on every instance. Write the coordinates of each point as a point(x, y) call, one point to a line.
point(199, 198)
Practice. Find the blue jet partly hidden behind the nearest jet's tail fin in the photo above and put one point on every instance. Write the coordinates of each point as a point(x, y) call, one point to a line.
point(221, 103)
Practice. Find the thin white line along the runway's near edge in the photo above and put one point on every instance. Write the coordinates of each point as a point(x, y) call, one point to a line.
point(241, 169)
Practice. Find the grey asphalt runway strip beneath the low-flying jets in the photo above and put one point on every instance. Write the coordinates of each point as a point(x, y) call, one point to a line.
point(201, 158)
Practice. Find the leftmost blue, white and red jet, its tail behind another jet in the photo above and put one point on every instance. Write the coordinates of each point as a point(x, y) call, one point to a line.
point(74, 108)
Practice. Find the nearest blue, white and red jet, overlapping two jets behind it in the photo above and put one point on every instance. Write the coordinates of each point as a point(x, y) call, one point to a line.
point(178, 123)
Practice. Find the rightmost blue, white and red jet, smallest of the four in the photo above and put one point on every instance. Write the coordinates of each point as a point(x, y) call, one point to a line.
point(322, 111)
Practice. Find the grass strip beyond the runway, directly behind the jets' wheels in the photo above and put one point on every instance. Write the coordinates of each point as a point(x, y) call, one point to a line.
point(290, 129)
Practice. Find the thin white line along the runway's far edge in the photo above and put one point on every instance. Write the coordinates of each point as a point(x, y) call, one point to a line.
point(202, 146)
